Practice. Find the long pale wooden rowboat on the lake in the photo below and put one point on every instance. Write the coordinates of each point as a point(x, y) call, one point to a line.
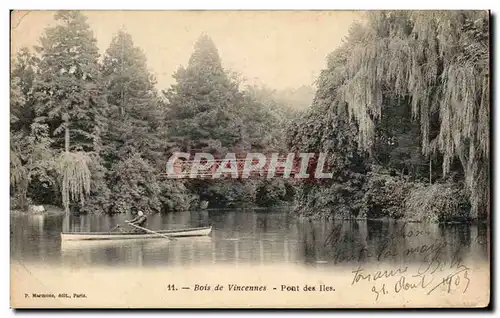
point(79, 236)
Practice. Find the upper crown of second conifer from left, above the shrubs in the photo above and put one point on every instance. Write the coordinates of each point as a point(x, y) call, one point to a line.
point(136, 120)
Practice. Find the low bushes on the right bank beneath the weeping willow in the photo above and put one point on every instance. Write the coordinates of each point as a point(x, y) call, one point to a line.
point(380, 194)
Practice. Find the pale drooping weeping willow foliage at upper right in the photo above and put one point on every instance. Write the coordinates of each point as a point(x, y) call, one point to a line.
point(440, 61)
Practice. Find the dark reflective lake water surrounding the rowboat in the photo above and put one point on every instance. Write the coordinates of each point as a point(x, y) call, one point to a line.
point(242, 237)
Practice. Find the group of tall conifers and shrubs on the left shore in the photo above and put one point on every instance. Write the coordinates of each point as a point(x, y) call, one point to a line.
point(94, 135)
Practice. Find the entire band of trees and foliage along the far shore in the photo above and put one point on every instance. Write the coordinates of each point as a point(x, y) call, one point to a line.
point(401, 109)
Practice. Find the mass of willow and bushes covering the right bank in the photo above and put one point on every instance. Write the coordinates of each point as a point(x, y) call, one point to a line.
point(415, 87)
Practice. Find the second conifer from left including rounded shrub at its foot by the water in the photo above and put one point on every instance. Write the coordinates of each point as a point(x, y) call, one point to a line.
point(136, 135)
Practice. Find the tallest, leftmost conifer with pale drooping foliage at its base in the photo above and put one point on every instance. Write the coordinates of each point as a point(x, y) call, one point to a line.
point(69, 98)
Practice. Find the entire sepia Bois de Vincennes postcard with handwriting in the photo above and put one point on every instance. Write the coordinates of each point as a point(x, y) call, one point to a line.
point(250, 159)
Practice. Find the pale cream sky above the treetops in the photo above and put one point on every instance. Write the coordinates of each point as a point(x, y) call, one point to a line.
point(280, 49)
